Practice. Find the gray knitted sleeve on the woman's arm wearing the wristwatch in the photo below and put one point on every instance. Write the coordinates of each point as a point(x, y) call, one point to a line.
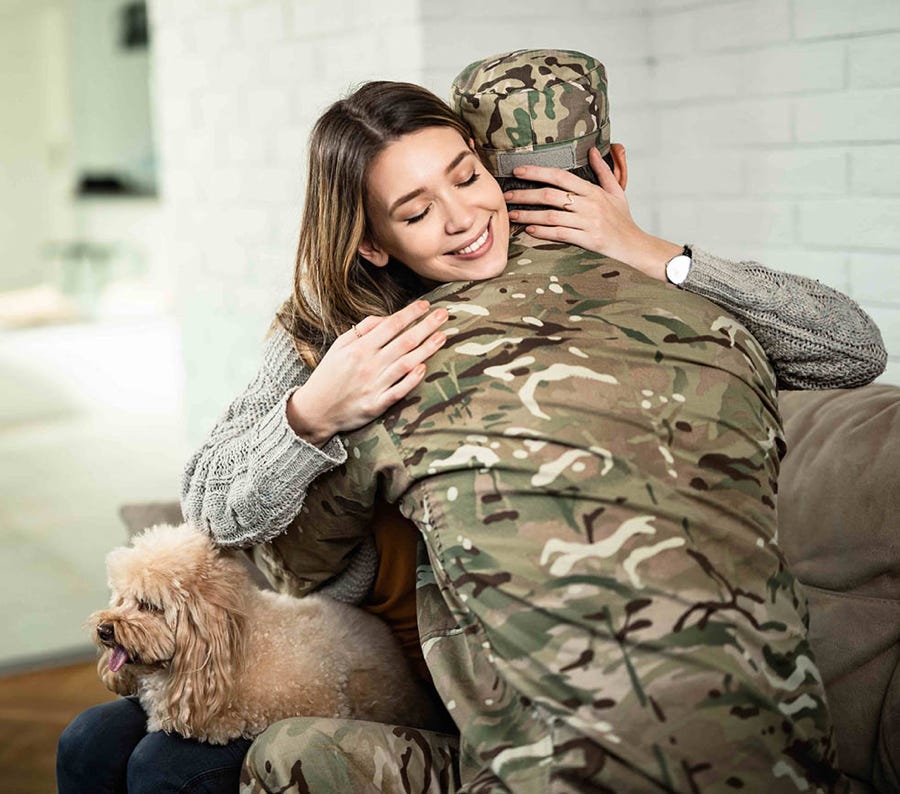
point(815, 336)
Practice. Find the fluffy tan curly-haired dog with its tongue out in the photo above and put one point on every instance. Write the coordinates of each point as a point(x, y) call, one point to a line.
point(213, 657)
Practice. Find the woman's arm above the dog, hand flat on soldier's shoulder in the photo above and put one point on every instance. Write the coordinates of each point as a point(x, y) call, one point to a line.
point(248, 480)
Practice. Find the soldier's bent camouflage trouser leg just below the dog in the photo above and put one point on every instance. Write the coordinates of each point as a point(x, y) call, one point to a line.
point(324, 756)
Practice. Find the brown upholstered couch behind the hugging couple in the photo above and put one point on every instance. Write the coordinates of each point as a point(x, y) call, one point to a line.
point(839, 502)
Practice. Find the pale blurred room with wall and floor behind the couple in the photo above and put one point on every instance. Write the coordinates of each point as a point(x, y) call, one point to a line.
point(152, 160)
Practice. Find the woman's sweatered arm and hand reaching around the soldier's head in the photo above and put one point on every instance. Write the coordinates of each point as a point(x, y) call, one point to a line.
point(815, 336)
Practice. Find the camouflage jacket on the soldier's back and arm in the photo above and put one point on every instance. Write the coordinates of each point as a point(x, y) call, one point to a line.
point(592, 460)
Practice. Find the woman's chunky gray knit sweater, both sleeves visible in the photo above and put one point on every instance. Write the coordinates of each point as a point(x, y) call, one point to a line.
point(248, 480)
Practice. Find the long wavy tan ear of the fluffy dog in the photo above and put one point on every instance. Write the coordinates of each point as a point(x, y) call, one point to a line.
point(209, 644)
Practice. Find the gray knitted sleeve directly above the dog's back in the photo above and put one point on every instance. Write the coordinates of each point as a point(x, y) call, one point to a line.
point(249, 478)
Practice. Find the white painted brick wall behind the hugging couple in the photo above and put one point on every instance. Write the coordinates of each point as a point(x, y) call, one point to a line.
point(759, 128)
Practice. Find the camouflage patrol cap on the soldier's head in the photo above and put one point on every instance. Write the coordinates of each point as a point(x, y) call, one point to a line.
point(534, 107)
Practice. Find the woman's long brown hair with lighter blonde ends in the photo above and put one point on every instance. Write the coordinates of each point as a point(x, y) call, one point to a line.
point(334, 287)
